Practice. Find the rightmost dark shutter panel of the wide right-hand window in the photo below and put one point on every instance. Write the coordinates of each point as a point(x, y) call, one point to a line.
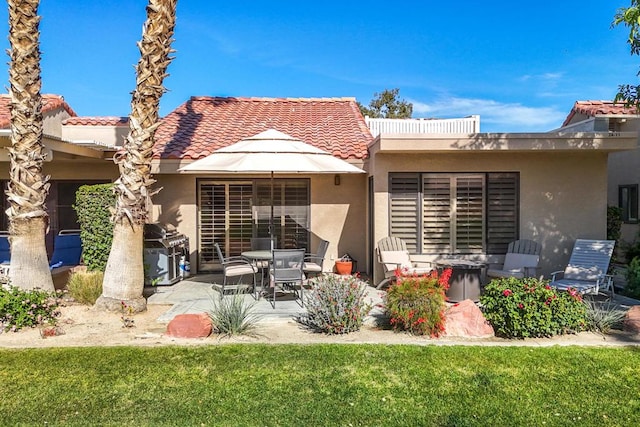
point(502, 211)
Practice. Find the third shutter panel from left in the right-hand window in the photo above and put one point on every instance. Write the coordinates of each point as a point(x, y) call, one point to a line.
point(469, 214)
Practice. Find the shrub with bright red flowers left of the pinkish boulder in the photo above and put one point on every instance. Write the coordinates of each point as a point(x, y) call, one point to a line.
point(416, 303)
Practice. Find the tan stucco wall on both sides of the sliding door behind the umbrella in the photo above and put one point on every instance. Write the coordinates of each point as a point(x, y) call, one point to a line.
point(338, 213)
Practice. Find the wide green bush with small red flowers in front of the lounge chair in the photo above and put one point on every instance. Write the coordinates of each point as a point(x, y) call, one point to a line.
point(529, 307)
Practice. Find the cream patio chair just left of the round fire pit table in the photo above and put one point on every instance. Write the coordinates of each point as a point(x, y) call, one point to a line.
point(393, 255)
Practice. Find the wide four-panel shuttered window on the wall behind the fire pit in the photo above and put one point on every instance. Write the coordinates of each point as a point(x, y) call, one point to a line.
point(461, 213)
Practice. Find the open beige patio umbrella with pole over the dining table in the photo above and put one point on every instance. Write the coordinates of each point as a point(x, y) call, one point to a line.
point(271, 152)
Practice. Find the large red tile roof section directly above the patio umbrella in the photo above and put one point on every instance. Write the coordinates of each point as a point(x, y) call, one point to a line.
point(204, 124)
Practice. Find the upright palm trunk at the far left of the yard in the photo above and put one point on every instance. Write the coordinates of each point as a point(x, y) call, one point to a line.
point(28, 187)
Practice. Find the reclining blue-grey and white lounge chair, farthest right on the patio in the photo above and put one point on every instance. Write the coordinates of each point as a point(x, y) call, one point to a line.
point(587, 268)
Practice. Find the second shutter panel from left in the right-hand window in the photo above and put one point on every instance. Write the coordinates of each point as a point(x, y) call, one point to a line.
point(437, 208)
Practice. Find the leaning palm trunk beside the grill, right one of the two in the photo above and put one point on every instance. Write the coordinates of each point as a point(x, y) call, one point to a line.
point(124, 273)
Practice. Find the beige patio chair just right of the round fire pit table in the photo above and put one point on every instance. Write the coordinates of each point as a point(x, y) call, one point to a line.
point(521, 260)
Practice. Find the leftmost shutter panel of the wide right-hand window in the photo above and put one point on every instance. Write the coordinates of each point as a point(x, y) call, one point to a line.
point(404, 208)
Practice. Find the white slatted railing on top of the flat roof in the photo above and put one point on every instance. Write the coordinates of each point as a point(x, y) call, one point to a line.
point(463, 125)
